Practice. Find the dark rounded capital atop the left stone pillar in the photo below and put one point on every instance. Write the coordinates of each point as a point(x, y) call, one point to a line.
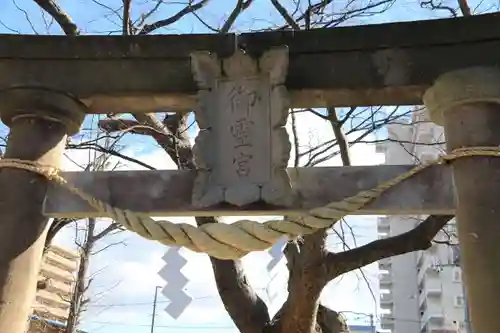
point(42, 103)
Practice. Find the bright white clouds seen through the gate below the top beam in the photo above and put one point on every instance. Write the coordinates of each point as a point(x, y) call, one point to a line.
point(133, 269)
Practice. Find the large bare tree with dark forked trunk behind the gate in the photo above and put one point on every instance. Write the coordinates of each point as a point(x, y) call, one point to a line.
point(310, 265)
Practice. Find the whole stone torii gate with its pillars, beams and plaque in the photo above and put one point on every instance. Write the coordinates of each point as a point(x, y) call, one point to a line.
point(49, 83)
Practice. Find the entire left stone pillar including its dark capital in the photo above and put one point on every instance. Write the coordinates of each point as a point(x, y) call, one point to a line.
point(39, 121)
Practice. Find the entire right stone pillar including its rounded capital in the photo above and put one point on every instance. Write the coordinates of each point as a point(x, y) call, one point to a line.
point(467, 103)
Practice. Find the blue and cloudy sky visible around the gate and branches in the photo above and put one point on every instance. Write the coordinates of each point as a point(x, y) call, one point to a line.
point(126, 275)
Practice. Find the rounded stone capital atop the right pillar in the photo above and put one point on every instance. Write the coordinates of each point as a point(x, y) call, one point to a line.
point(463, 86)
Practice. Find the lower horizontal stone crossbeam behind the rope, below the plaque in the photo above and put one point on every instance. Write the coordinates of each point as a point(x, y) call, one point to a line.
point(168, 192)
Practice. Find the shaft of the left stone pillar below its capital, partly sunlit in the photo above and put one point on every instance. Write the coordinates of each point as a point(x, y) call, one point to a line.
point(23, 227)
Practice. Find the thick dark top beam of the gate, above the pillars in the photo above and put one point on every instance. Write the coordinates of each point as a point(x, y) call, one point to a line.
point(382, 64)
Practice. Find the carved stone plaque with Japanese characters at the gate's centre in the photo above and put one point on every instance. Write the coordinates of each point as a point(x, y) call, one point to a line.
point(242, 149)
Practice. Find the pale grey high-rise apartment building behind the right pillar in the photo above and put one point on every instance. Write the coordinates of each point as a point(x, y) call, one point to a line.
point(420, 292)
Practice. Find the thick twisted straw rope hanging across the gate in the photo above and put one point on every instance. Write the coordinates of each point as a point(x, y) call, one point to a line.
point(233, 241)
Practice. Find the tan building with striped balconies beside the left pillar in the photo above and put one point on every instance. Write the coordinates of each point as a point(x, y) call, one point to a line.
point(51, 304)
